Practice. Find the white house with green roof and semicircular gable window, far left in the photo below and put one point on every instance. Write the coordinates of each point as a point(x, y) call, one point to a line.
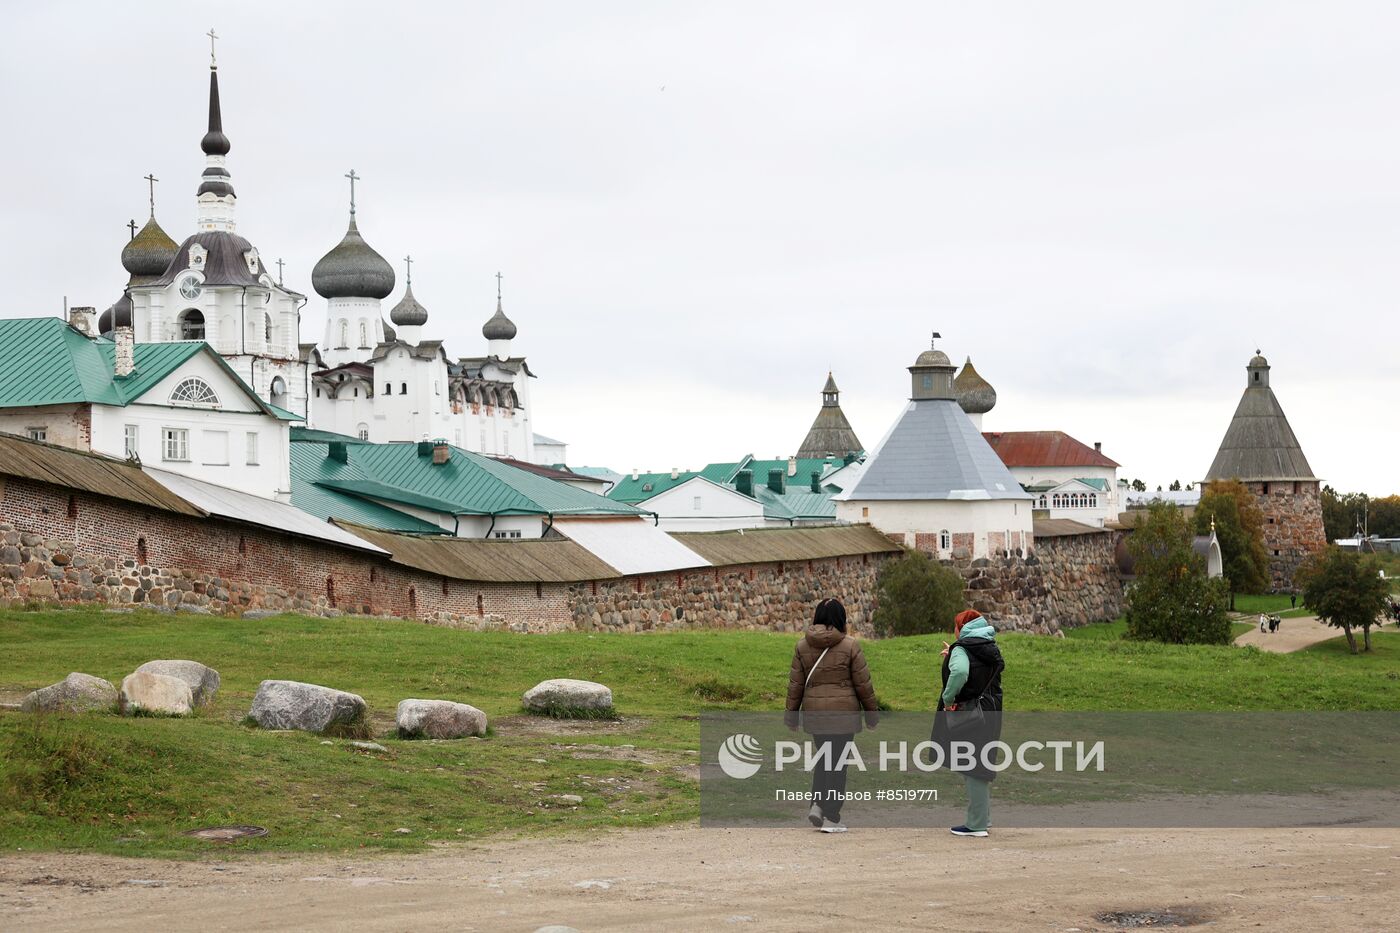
point(176, 406)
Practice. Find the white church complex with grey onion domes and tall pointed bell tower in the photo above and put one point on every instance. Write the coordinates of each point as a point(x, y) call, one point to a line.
point(369, 379)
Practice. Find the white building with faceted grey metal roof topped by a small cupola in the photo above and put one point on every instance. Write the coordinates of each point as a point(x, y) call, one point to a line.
point(934, 483)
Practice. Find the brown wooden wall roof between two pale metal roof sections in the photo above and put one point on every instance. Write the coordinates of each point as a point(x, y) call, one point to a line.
point(489, 561)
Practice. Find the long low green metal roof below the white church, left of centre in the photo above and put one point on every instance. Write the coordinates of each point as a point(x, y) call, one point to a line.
point(465, 485)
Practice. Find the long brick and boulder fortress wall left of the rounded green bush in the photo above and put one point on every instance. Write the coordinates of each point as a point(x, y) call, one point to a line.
point(73, 547)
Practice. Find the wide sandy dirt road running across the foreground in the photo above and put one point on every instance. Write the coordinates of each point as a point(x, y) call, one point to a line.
point(692, 879)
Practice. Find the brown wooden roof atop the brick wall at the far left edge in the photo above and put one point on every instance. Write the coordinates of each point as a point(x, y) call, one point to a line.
point(90, 473)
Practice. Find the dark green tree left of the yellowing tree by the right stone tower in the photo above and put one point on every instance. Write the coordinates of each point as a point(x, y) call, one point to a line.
point(1171, 597)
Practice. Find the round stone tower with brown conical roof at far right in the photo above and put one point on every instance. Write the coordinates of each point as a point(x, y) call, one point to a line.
point(1262, 452)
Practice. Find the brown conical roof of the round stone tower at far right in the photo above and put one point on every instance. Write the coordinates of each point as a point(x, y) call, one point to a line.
point(1259, 443)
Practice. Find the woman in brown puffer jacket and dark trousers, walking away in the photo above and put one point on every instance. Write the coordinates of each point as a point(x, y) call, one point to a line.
point(831, 684)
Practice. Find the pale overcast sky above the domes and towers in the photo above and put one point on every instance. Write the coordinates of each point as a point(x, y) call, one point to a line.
point(699, 209)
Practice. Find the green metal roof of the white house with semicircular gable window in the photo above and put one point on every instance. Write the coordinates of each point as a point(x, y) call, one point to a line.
point(45, 362)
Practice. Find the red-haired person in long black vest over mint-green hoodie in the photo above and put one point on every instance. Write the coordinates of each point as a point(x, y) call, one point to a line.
point(972, 677)
